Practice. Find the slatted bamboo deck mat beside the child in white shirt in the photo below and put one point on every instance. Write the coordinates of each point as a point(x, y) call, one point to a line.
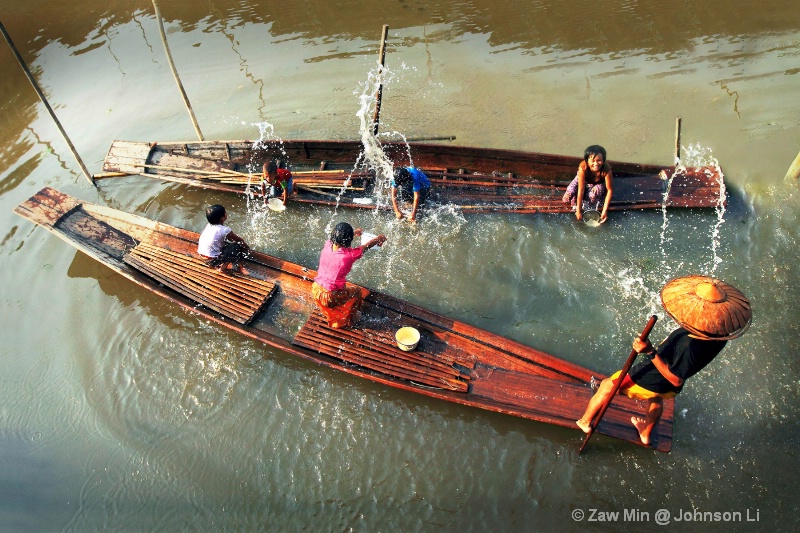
point(236, 296)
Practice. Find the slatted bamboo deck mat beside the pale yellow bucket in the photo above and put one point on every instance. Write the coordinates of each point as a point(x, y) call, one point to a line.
point(375, 349)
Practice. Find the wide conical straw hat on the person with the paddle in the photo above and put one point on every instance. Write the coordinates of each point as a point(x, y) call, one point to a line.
point(708, 308)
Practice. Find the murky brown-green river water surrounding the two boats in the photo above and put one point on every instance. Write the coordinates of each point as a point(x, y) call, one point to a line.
point(122, 412)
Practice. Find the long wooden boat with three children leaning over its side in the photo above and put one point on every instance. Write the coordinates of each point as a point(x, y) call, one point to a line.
point(473, 179)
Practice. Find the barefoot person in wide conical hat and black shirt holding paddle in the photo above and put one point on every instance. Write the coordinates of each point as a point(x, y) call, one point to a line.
point(710, 312)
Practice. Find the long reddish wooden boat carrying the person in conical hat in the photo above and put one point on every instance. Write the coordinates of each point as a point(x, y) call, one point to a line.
point(270, 302)
